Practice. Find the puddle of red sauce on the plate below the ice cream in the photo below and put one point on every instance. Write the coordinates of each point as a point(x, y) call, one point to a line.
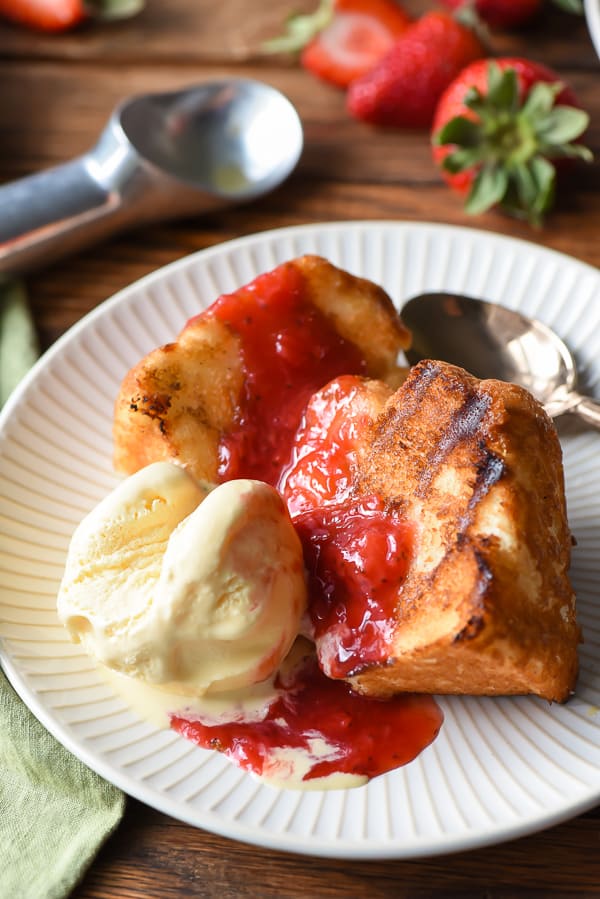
point(368, 736)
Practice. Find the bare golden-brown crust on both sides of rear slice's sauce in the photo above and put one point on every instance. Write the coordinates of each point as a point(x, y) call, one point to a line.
point(178, 401)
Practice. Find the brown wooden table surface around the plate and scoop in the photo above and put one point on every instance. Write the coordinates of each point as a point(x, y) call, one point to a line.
point(56, 92)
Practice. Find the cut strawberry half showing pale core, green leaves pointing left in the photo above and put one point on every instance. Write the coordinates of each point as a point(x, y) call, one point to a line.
point(343, 39)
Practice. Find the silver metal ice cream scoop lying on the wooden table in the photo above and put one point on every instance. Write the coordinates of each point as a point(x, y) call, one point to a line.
point(160, 156)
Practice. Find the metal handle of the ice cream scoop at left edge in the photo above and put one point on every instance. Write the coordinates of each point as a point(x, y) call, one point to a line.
point(46, 215)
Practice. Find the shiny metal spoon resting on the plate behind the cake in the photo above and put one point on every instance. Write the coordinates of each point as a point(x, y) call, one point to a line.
point(491, 341)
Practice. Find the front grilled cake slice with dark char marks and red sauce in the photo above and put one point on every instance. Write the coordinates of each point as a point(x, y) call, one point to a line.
point(449, 571)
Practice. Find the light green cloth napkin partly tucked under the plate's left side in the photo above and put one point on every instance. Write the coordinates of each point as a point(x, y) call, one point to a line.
point(54, 812)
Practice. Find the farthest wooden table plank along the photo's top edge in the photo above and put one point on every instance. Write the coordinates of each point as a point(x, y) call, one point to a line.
point(215, 33)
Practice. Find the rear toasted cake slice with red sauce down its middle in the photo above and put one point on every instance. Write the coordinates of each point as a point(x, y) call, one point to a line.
point(181, 400)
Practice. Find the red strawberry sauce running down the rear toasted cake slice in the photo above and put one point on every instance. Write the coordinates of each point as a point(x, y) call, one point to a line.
point(289, 350)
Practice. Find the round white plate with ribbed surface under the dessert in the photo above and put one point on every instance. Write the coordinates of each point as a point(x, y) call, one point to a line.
point(500, 767)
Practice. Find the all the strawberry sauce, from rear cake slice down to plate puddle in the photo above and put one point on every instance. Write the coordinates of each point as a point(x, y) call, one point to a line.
point(303, 437)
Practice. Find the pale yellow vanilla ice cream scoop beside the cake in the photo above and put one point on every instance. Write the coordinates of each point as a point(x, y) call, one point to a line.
point(186, 587)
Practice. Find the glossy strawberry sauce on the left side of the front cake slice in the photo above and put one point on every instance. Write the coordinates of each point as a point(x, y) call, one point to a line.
point(356, 551)
